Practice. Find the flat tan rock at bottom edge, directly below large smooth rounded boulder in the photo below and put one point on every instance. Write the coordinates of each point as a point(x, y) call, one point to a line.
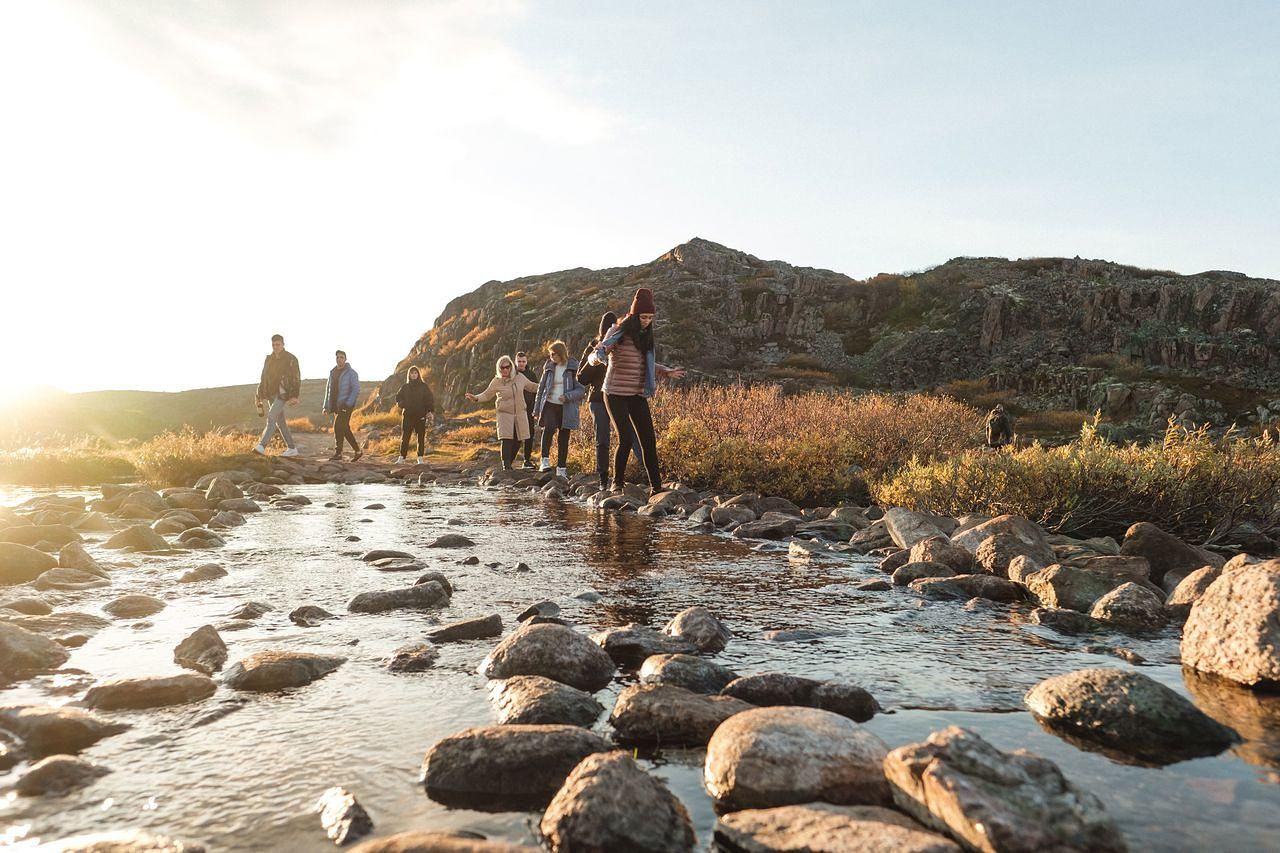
point(822, 828)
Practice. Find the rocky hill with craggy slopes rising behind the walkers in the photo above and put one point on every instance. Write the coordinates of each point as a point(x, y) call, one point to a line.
point(1049, 334)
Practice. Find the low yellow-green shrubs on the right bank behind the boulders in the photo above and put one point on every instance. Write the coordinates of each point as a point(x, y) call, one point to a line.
point(1191, 485)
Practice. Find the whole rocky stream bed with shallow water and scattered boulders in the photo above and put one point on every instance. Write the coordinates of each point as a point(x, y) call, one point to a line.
point(341, 672)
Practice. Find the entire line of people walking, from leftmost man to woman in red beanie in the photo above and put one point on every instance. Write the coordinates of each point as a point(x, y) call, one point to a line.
point(618, 376)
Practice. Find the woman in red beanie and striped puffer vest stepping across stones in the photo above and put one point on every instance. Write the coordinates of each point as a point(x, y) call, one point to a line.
point(630, 381)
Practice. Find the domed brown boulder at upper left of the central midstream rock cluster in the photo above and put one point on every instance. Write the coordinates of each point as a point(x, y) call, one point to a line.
point(552, 651)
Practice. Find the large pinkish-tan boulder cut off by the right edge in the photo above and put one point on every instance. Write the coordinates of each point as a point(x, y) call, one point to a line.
point(1235, 630)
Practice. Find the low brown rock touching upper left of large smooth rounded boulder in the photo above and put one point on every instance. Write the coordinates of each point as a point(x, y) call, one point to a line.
point(661, 714)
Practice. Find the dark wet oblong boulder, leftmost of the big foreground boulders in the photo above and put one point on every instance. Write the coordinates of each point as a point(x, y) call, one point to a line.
point(501, 768)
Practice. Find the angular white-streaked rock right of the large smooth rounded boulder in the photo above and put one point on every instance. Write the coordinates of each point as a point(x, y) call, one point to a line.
point(958, 783)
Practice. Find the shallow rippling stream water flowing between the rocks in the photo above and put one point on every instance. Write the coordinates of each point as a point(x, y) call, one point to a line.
point(249, 781)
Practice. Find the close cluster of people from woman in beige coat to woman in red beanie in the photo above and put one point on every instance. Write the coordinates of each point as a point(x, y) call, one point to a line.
point(618, 375)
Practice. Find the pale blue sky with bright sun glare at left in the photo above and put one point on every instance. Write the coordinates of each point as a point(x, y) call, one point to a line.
point(179, 181)
